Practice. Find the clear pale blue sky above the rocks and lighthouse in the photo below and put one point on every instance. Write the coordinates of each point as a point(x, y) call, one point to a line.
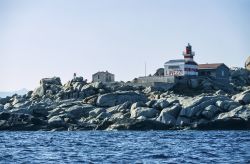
point(45, 38)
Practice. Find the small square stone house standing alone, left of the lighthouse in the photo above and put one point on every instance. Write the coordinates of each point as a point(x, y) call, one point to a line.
point(104, 77)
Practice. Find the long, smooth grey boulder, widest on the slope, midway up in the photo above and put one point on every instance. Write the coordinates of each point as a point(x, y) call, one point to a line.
point(116, 98)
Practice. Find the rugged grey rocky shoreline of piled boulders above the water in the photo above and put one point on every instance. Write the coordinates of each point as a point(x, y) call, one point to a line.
point(78, 105)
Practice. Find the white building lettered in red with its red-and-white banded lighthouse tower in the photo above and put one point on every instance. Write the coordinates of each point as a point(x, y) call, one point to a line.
point(182, 67)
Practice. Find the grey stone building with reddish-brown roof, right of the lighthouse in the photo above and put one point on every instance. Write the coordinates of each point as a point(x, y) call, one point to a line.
point(216, 71)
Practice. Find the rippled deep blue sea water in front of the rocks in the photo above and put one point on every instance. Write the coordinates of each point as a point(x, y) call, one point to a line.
point(125, 147)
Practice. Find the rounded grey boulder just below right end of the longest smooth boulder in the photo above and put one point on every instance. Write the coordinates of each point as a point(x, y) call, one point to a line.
point(144, 111)
